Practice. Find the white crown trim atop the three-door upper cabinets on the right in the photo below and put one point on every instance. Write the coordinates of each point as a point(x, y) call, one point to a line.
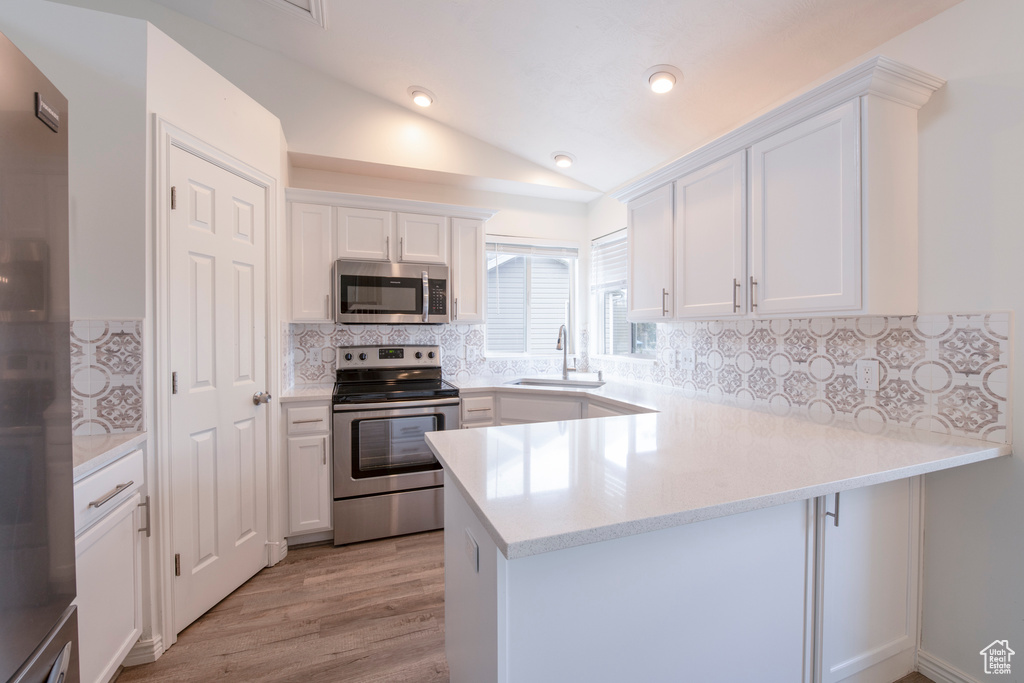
point(880, 76)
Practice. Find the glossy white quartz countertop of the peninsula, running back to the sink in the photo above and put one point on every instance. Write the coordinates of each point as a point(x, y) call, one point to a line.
point(545, 487)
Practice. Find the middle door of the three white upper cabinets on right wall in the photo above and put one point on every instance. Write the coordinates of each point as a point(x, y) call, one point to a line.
point(711, 240)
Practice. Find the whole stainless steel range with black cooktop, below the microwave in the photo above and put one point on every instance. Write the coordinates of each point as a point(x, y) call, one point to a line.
point(387, 481)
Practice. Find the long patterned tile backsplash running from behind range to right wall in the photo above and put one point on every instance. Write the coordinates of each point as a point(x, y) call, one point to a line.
point(947, 373)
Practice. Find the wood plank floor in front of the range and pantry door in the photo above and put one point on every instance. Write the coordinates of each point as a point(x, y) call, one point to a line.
point(373, 612)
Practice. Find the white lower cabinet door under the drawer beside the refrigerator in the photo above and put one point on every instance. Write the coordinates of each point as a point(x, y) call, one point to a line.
point(110, 604)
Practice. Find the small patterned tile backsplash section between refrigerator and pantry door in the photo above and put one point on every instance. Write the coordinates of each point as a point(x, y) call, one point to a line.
point(107, 376)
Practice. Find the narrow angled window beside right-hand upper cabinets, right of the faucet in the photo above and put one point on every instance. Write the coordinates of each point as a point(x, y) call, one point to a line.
point(616, 335)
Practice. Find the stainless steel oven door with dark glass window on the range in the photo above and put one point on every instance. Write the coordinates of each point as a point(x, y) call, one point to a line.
point(381, 449)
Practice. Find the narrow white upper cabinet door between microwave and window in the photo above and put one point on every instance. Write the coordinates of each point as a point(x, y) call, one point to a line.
point(470, 279)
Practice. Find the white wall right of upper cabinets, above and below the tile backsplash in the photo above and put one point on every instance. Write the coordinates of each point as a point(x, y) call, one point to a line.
point(972, 245)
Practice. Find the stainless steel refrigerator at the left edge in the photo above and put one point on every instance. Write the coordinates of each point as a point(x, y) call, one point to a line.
point(38, 626)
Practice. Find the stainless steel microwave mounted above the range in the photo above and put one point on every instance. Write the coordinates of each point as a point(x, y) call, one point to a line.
point(370, 293)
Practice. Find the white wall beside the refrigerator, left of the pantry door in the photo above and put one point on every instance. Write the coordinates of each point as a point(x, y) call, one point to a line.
point(98, 62)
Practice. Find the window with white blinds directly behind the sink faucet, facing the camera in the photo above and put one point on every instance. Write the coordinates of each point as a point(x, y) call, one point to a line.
point(530, 296)
